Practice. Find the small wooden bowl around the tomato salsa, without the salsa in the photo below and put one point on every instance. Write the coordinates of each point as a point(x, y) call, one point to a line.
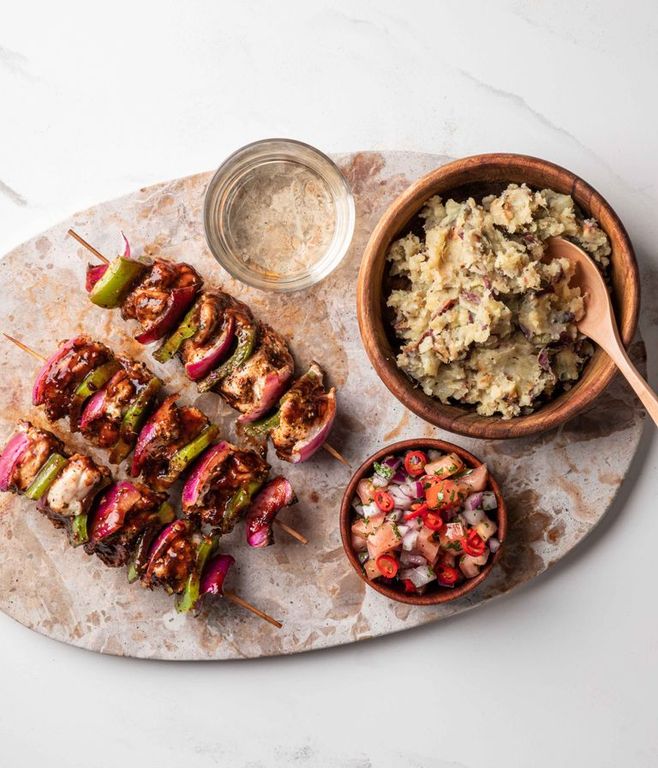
point(435, 593)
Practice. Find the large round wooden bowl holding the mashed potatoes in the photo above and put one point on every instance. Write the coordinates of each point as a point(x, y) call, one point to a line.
point(478, 176)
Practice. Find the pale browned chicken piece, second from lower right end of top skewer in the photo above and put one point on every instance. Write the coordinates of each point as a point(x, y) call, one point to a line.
point(255, 387)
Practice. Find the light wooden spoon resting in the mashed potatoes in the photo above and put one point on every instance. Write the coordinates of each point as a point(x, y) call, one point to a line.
point(599, 321)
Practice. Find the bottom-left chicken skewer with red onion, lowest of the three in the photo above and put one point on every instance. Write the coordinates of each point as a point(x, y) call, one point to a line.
point(123, 523)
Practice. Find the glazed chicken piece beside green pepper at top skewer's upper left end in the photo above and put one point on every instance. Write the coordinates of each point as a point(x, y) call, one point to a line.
point(167, 289)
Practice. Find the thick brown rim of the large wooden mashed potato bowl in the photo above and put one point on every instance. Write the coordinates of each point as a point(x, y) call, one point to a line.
point(452, 417)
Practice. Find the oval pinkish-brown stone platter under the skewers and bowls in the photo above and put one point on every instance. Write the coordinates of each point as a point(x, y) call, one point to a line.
point(558, 485)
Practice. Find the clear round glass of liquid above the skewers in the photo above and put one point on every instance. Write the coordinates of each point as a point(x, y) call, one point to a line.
point(279, 215)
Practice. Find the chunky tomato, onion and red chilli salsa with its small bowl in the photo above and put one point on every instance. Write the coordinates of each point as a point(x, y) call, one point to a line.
point(423, 521)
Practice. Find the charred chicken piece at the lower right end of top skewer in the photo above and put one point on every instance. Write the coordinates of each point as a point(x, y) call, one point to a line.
point(305, 411)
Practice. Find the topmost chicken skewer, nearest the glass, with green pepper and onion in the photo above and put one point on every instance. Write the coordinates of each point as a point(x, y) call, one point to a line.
point(251, 379)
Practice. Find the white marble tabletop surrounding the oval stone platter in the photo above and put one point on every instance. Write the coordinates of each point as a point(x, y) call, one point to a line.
point(94, 104)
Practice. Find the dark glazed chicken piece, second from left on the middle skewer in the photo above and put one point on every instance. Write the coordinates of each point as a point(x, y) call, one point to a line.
point(104, 427)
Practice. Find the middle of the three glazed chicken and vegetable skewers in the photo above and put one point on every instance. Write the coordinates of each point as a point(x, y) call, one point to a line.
point(170, 441)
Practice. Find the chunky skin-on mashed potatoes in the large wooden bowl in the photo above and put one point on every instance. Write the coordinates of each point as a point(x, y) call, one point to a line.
point(482, 320)
